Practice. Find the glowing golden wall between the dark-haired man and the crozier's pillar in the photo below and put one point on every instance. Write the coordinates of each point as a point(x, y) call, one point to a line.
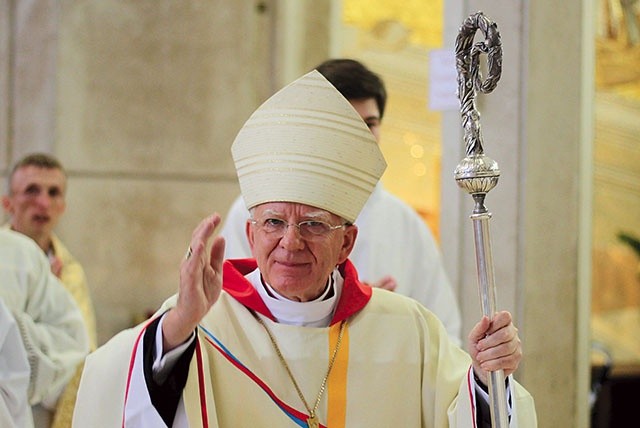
point(394, 39)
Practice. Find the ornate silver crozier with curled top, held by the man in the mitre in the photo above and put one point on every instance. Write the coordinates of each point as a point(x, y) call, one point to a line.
point(477, 174)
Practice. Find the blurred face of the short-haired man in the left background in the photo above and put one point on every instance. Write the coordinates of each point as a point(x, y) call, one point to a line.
point(36, 200)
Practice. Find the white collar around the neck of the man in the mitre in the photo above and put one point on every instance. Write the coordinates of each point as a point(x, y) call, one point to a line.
point(315, 313)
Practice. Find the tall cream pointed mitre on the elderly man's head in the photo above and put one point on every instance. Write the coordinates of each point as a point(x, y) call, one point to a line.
point(307, 144)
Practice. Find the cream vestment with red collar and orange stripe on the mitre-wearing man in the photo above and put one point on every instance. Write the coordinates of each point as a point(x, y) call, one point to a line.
point(396, 367)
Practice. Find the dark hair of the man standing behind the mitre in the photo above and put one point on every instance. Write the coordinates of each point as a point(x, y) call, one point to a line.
point(354, 80)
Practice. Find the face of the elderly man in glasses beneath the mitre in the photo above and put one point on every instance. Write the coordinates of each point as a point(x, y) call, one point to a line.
point(298, 266)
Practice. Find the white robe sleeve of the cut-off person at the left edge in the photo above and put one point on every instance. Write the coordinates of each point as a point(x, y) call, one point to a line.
point(49, 321)
